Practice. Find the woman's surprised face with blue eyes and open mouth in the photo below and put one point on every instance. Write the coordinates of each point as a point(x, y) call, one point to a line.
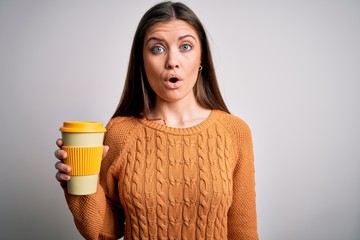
point(172, 57)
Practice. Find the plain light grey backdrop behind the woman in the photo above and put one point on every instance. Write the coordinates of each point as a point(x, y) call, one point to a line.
point(290, 69)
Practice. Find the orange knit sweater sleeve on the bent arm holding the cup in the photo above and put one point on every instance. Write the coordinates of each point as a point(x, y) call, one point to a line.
point(100, 215)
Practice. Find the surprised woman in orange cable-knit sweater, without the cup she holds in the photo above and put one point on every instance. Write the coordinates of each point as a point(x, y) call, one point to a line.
point(178, 165)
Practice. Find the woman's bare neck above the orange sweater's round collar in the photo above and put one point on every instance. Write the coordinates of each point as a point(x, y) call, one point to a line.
point(179, 114)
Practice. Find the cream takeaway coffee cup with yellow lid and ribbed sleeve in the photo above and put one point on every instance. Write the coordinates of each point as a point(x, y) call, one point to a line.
point(83, 142)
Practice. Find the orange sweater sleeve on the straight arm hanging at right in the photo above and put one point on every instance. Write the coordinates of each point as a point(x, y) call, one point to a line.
point(242, 219)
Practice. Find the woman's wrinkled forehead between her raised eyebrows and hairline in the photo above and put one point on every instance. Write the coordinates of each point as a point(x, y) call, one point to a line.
point(173, 27)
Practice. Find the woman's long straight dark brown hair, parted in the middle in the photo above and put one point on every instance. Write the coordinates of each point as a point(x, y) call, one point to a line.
point(138, 98)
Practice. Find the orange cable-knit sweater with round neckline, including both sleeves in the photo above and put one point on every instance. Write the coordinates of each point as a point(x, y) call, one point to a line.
point(172, 183)
